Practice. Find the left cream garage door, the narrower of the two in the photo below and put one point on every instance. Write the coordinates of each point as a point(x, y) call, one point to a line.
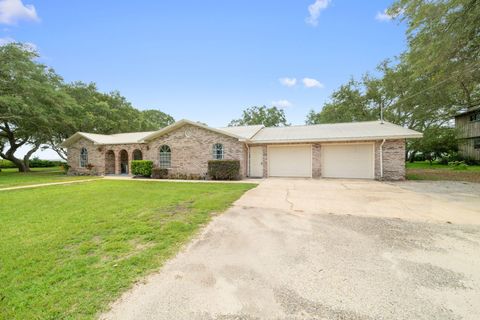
point(290, 161)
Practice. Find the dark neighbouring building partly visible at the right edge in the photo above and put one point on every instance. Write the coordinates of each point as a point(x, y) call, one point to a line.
point(468, 128)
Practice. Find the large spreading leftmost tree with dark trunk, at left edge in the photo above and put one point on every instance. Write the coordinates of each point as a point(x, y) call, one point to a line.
point(32, 102)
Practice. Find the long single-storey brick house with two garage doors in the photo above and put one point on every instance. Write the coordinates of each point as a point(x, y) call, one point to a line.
point(369, 150)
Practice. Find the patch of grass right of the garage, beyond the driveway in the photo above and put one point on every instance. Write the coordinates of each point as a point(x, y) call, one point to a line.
point(425, 171)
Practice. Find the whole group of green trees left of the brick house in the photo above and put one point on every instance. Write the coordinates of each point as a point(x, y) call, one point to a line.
point(38, 109)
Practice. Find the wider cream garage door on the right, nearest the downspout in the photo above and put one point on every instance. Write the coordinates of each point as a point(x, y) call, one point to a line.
point(348, 161)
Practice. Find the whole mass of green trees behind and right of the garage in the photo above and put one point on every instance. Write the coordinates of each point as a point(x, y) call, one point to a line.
point(422, 89)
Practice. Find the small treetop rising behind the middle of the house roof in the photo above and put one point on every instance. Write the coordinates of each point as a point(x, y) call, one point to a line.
point(269, 117)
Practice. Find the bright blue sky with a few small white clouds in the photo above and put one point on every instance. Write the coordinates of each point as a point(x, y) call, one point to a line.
point(208, 60)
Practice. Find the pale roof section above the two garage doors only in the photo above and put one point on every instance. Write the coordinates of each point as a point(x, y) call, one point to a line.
point(335, 132)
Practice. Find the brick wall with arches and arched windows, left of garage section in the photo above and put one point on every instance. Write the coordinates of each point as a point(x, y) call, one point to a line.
point(189, 152)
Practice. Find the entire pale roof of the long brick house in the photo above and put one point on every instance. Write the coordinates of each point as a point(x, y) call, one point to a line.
point(370, 130)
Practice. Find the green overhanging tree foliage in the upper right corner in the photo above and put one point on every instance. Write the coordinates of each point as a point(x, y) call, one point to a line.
point(444, 43)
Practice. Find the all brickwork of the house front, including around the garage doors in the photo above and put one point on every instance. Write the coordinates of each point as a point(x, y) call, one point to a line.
point(191, 148)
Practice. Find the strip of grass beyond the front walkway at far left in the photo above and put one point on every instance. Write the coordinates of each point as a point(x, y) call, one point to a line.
point(13, 178)
